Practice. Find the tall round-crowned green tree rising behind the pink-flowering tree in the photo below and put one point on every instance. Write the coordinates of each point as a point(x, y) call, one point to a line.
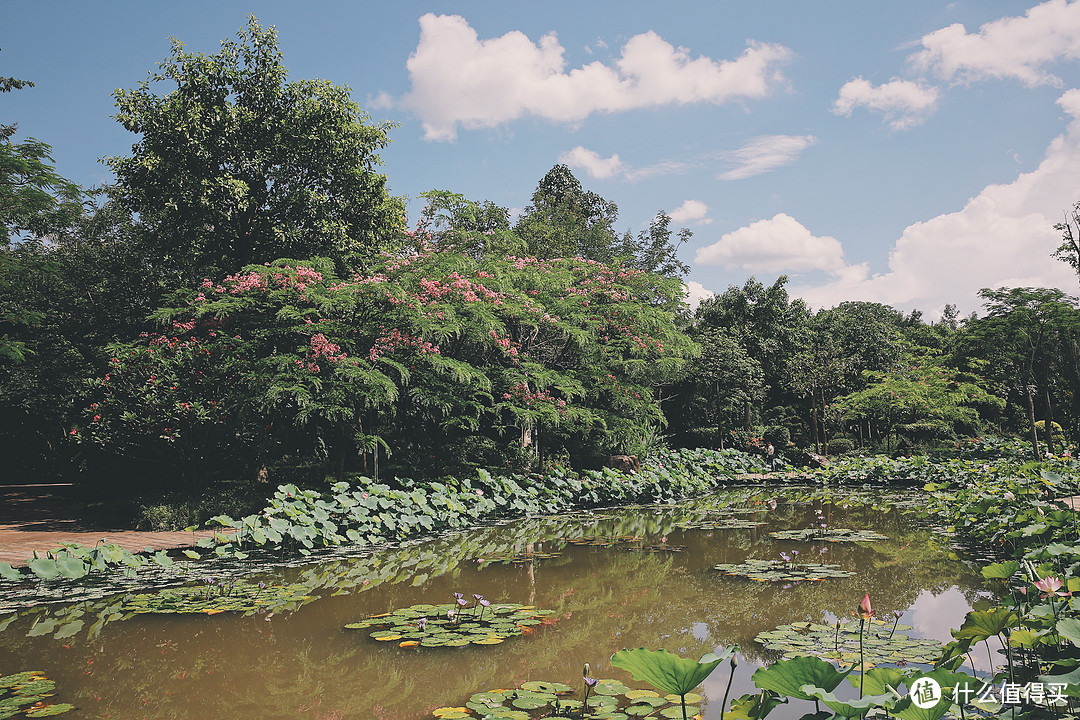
point(237, 166)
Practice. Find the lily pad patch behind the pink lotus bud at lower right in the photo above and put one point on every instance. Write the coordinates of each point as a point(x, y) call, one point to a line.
point(842, 647)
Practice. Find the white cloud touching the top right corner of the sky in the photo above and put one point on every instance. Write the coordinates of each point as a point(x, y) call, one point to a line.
point(1016, 48)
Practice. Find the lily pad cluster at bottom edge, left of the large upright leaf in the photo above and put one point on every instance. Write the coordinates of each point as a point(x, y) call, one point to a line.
point(610, 700)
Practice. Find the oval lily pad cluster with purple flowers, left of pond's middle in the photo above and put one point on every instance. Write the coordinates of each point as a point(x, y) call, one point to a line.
point(450, 626)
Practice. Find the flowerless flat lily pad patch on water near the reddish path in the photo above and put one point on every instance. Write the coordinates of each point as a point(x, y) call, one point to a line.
point(214, 597)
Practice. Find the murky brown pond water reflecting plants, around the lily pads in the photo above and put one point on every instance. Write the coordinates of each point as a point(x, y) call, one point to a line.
point(628, 578)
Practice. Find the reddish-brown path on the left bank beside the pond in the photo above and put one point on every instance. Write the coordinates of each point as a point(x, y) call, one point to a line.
point(40, 518)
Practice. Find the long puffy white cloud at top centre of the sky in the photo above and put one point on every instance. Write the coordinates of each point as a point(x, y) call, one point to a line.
point(460, 80)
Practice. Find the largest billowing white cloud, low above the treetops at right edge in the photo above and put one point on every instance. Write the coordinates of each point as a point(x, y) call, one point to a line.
point(1003, 237)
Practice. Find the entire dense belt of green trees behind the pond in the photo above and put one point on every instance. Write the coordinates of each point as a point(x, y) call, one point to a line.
point(247, 303)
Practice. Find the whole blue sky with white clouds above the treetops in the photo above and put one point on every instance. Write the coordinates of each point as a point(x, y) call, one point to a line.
point(908, 154)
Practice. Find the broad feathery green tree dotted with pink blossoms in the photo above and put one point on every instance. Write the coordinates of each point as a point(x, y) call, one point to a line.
point(428, 348)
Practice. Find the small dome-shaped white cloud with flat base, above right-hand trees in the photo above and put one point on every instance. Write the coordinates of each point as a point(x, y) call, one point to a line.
point(780, 244)
